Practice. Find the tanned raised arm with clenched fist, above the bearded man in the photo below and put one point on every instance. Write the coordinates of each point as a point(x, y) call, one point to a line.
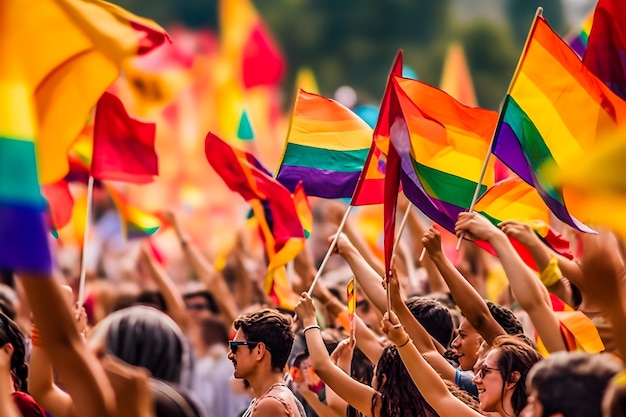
point(467, 298)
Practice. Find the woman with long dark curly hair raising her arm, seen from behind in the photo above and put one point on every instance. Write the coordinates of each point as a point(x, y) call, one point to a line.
point(391, 395)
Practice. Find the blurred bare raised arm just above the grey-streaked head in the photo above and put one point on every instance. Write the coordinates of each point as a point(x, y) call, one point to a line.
point(173, 299)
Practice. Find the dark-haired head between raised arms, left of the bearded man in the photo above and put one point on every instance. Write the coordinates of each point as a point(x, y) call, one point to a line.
point(435, 318)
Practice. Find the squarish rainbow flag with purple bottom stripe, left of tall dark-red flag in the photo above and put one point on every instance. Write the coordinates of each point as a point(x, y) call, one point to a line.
point(326, 147)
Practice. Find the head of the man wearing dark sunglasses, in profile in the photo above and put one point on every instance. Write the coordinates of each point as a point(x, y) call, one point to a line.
point(264, 336)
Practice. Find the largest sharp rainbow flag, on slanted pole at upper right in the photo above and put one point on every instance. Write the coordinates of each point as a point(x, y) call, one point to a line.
point(556, 111)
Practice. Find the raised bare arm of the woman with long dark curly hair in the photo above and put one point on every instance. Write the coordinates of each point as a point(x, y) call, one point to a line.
point(355, 393)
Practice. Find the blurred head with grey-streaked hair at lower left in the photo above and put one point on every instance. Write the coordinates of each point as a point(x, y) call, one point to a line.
point(144, 336)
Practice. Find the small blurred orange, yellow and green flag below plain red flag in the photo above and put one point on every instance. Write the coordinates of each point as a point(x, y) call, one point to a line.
point(136, 223)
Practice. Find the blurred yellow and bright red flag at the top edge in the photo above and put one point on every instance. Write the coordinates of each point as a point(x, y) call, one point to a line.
point(248, 46)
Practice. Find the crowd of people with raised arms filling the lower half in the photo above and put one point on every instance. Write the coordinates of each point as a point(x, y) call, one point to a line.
point(424, 339)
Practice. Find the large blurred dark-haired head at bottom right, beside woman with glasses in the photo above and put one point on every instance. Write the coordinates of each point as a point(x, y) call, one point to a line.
point(569, 384)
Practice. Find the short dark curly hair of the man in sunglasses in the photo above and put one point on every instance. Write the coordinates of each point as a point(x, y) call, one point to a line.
point(271, 328)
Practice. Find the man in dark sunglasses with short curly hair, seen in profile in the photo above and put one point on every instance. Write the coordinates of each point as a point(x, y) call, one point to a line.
point(259, 353)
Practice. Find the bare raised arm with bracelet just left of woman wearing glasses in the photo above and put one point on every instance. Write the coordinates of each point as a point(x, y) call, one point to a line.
point(429, 383)
